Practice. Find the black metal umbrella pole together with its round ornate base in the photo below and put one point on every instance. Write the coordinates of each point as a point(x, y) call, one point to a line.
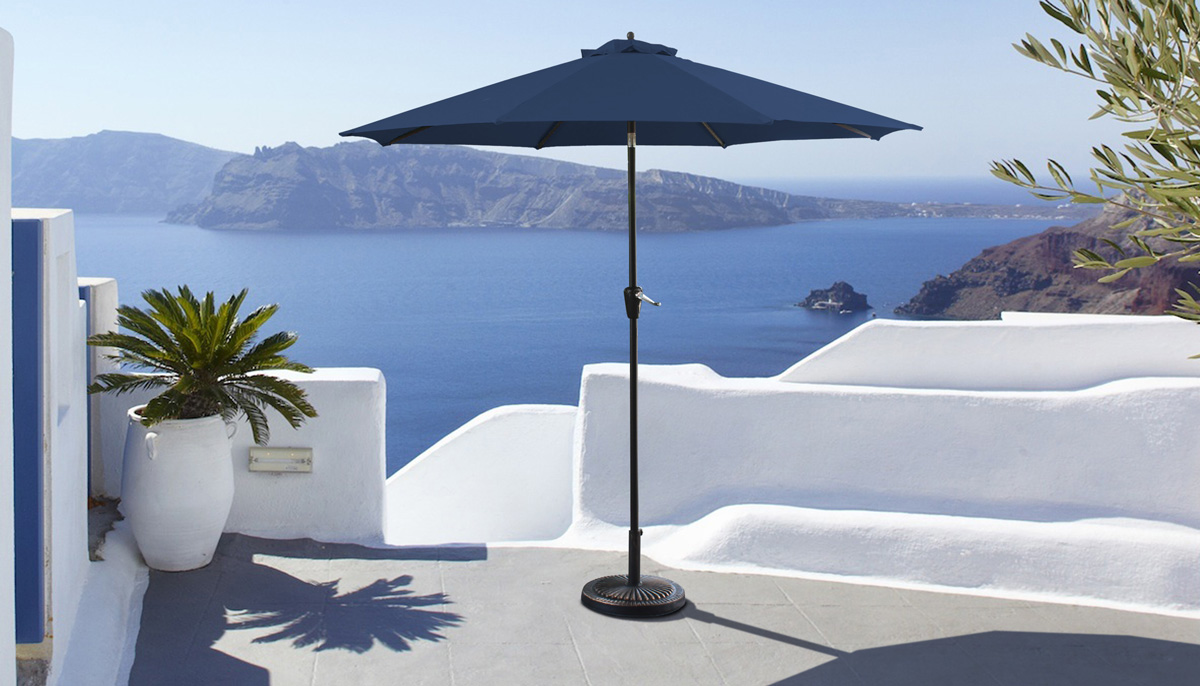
point(633, 595)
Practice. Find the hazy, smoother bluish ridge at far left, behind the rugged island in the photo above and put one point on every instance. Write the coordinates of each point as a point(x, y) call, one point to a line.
point(113, 172)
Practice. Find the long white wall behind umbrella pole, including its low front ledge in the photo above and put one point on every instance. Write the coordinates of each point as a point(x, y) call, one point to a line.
point(1082, 496)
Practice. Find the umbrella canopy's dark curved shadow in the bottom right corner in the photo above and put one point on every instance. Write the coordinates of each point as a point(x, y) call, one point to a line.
point(1015, 658)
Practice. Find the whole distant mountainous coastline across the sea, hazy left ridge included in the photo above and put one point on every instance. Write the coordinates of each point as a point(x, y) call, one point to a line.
point(362, 186)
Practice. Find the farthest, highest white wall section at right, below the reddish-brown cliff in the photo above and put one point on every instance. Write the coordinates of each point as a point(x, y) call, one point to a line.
point(1022, 352)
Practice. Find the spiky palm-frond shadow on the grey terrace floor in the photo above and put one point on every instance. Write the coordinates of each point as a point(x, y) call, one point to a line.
point(383, 612)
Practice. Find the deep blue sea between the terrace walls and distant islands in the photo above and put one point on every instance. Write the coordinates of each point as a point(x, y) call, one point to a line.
point(464, 321)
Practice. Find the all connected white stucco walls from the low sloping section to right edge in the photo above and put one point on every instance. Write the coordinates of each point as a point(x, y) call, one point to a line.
point(974, 448)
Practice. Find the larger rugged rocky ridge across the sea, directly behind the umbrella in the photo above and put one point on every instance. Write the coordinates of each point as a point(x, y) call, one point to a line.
point(364, 186)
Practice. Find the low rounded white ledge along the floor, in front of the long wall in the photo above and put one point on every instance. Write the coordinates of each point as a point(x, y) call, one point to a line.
point(1125, 564)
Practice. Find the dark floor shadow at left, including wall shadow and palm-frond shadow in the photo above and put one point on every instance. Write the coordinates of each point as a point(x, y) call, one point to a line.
point(185, 615)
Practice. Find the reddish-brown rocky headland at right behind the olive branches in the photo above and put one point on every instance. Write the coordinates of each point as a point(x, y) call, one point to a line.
point(1036, 274)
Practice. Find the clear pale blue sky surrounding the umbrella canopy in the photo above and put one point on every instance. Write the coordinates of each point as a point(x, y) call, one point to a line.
point(235, 75)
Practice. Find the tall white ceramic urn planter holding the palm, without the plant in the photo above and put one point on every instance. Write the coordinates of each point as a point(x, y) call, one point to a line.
point(177, 490)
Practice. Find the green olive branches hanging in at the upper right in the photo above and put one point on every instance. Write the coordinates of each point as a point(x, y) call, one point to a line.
point(1144, 58)
